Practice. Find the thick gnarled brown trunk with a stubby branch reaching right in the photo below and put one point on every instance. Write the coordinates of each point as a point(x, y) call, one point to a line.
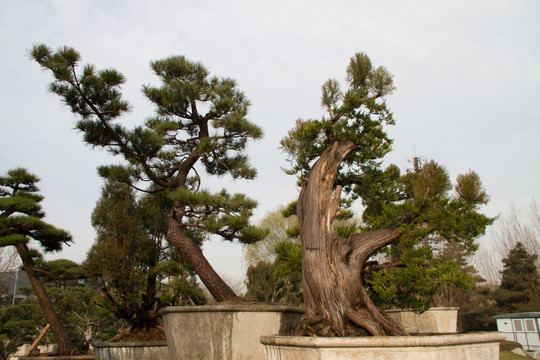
point(336, 301)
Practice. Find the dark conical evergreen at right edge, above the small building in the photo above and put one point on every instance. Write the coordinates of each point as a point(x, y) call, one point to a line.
point(520, 285)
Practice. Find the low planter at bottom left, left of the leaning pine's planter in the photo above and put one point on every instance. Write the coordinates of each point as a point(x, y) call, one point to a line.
point(136, 350)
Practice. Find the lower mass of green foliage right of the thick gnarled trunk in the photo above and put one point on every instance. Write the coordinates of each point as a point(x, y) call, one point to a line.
point(431, 218)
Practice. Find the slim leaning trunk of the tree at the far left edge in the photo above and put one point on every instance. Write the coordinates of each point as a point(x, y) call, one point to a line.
point(65, 347)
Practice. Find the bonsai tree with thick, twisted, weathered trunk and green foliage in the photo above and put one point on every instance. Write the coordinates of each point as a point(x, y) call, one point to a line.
point(341, 153)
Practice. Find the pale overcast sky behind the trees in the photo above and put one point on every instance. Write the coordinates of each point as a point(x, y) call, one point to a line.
point(467, 75)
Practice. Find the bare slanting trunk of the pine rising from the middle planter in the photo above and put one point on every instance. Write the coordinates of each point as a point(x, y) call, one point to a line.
point(210, 278)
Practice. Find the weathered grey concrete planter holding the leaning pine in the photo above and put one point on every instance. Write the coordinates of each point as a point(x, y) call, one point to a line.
point(225, 332)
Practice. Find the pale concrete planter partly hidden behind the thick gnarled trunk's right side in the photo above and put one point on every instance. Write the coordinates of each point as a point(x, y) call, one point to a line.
point(437, 320)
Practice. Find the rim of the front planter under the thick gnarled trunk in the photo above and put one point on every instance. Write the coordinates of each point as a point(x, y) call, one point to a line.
point(383, 341)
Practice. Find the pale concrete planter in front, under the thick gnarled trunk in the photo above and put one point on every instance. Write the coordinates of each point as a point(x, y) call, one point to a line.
point(473, 346)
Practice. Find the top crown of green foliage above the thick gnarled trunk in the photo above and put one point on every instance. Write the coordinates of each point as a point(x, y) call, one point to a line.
point(357, 115)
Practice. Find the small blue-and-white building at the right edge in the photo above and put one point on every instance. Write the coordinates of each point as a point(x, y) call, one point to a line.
point(523, 328)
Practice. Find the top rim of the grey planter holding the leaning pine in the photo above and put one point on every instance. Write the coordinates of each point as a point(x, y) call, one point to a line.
point(231, 308)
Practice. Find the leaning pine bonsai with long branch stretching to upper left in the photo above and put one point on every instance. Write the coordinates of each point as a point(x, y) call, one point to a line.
point(200, 124)
